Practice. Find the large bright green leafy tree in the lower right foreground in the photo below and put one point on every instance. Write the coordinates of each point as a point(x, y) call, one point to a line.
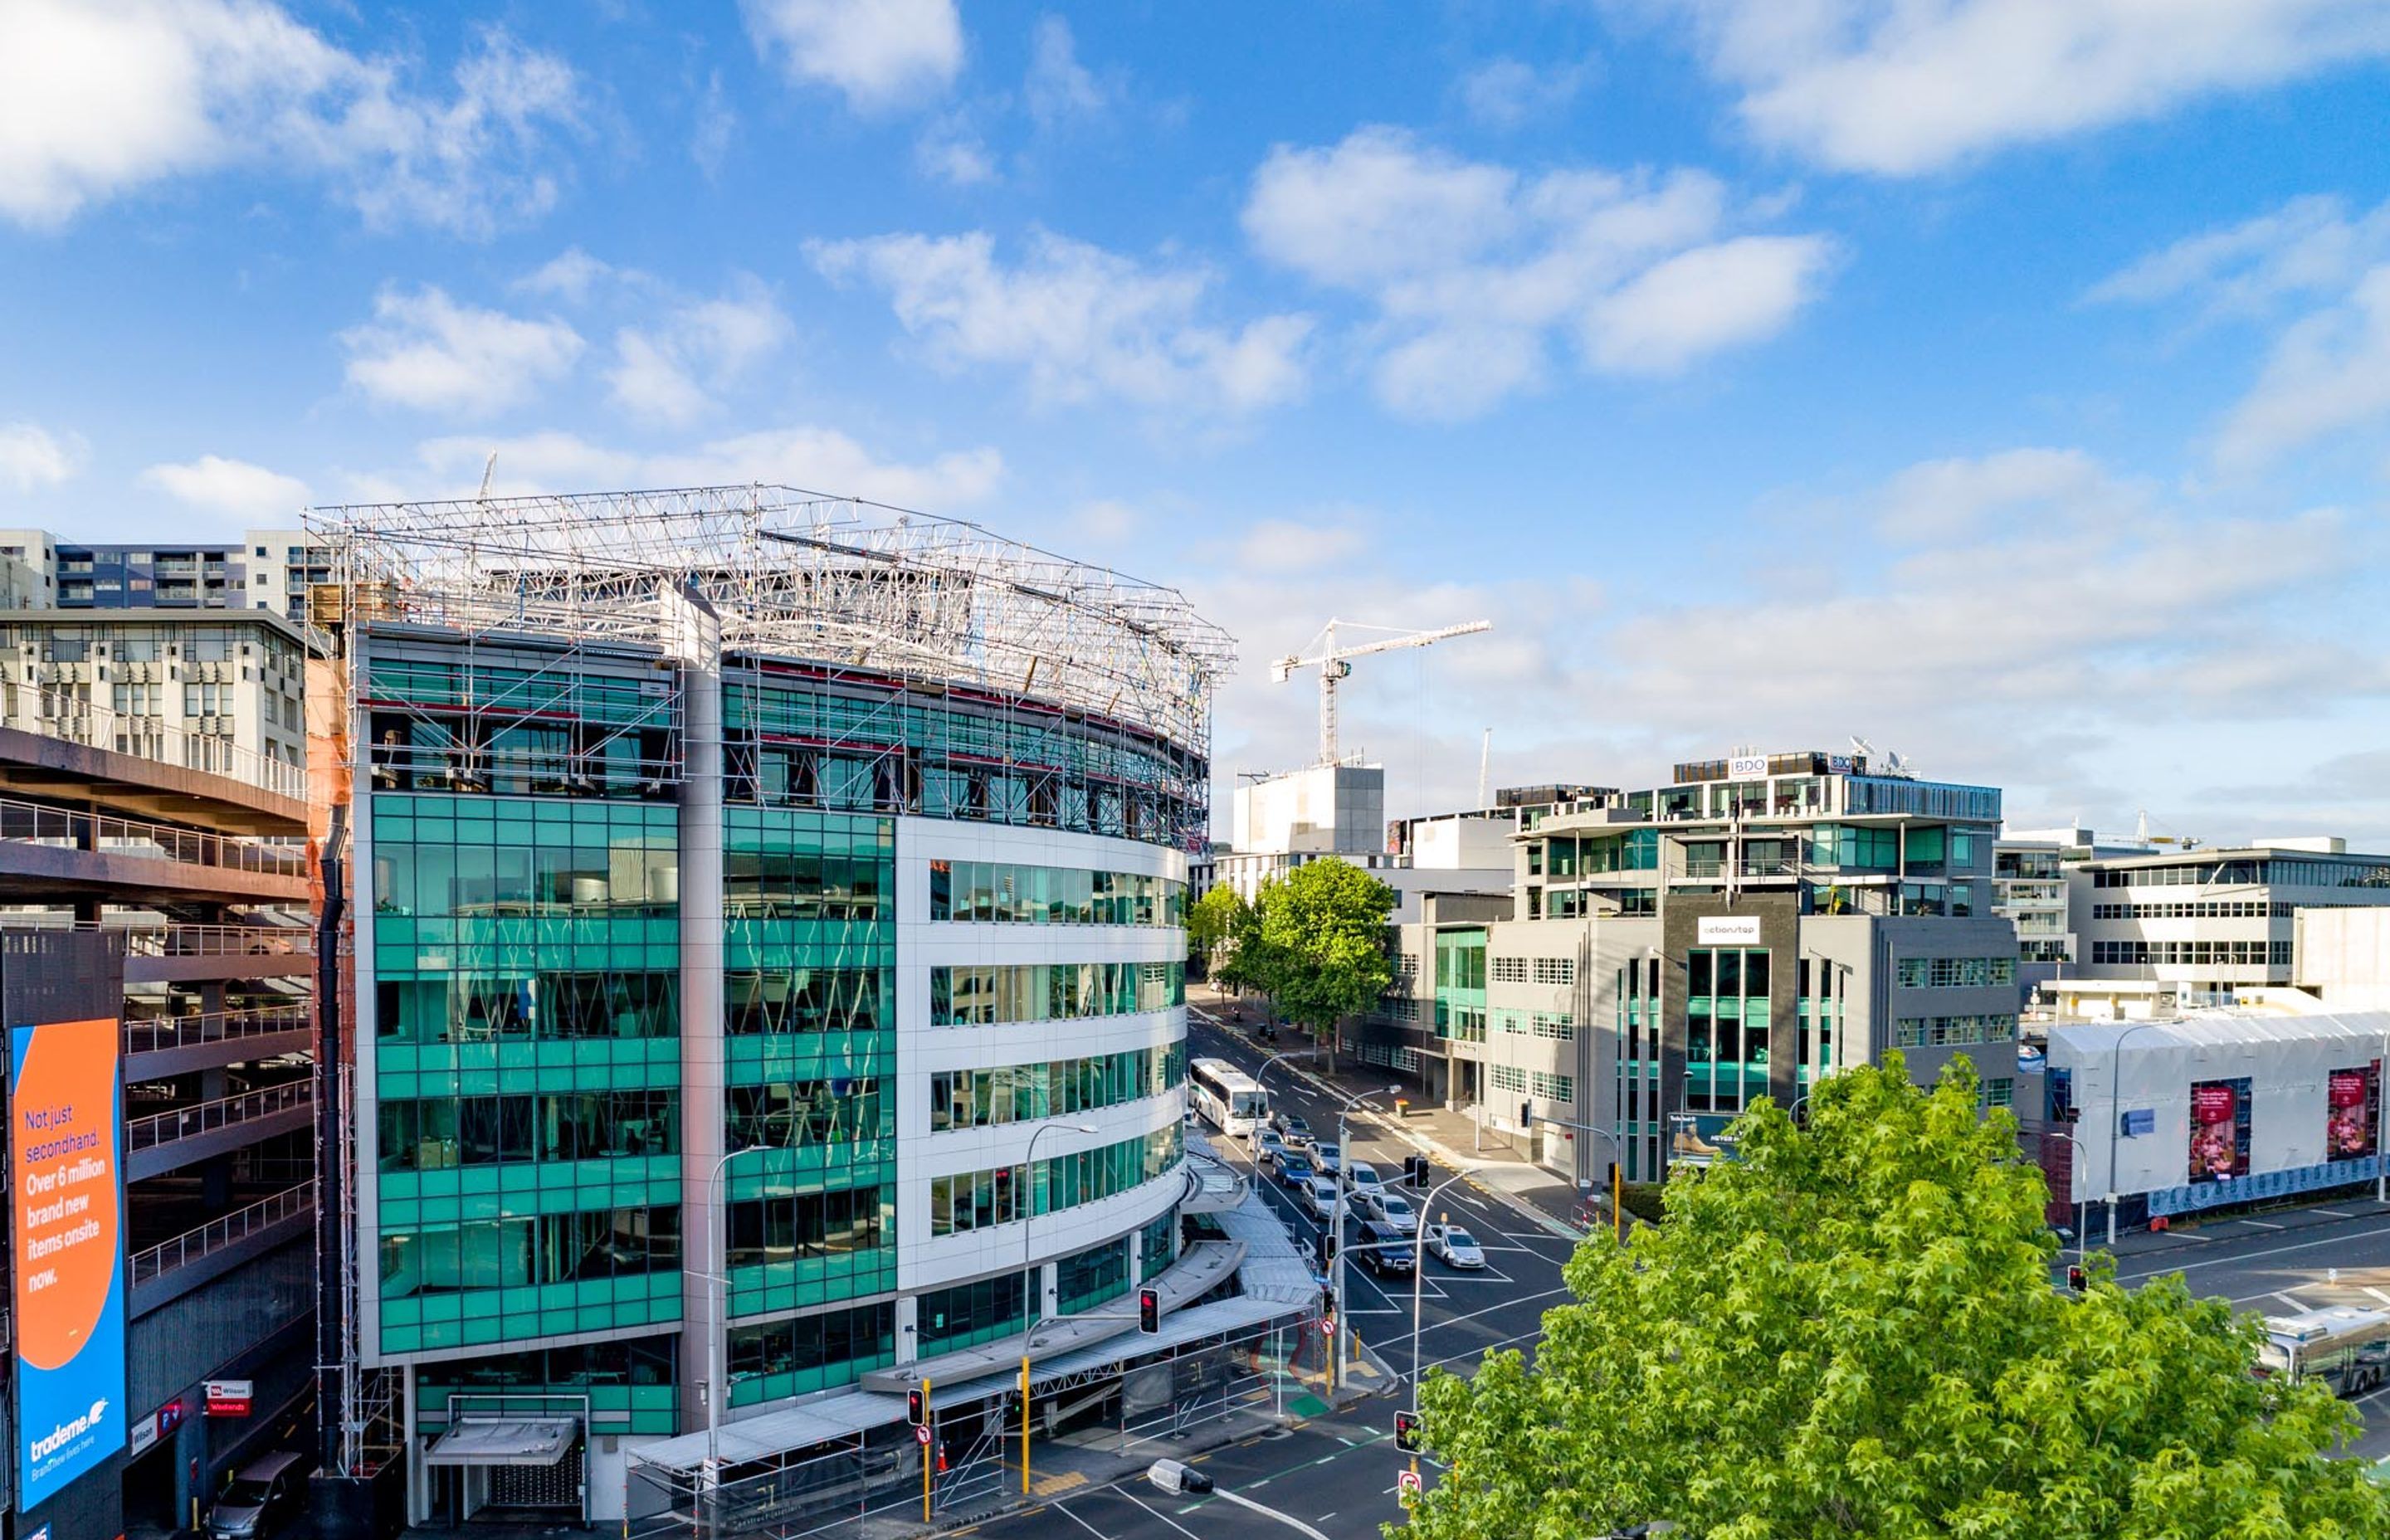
point(1851, 1331)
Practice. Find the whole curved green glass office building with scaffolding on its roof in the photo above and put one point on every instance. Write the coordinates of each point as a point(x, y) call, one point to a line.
point(742, 884)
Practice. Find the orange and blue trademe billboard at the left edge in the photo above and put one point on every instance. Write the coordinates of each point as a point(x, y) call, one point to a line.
point(66, 1132)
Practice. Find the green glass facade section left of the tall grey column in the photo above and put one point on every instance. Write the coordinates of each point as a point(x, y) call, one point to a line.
point(527, 1063)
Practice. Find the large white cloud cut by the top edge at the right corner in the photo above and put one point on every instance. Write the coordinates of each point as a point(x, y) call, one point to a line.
point(1904, 87)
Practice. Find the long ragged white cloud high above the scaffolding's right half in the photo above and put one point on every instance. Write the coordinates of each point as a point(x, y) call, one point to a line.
point(1081, 322)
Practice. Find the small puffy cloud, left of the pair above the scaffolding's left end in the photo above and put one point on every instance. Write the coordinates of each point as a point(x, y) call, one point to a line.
point(429, 353)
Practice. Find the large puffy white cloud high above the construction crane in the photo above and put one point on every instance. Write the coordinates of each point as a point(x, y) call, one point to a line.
point(1476, 269)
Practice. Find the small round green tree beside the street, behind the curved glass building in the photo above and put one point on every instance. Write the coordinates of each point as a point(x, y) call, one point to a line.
point(1323, 934)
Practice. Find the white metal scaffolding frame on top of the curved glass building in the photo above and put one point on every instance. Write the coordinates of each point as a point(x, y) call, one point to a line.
point(792, 575)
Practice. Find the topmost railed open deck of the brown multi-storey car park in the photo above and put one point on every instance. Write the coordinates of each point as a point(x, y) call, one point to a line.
point(49, 850)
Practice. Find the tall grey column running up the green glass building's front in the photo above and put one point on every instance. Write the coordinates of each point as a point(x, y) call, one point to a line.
point(697, 647)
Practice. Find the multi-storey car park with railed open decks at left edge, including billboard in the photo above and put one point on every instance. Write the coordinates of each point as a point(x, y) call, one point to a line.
point(157, 974)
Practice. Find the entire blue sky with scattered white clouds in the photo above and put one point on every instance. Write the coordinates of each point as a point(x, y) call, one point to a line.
point(2004, 381)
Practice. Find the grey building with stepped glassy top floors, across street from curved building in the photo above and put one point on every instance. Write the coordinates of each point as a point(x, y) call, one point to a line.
point(1677, 953)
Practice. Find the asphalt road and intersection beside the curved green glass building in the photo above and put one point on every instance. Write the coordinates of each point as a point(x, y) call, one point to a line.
point(1335, 1472)
